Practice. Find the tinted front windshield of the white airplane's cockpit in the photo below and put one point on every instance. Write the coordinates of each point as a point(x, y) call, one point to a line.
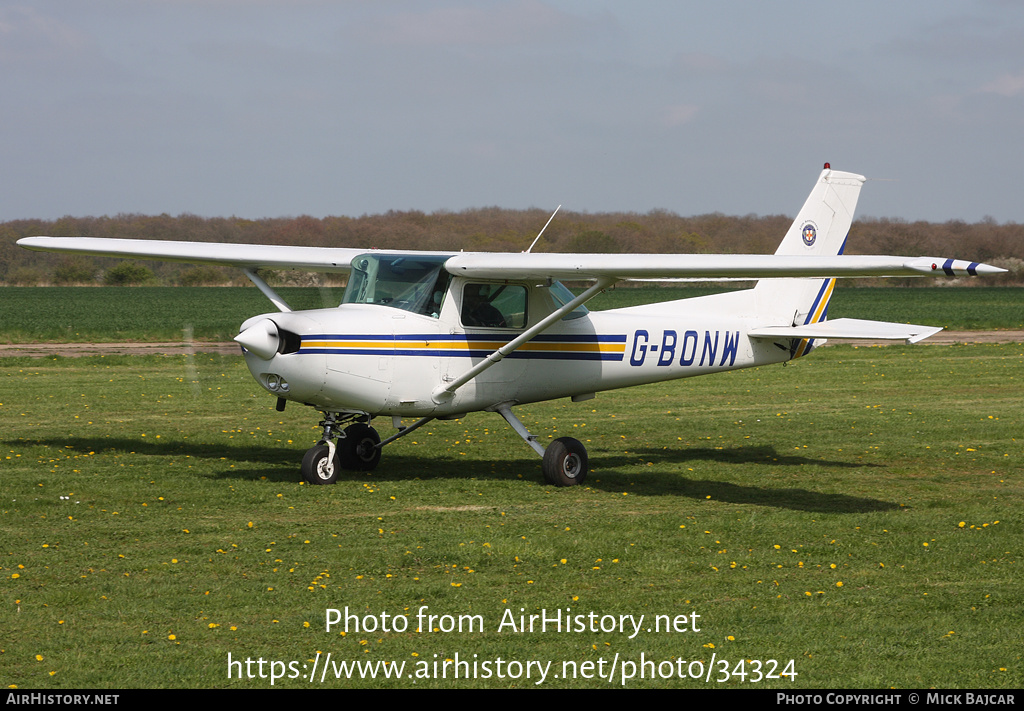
point(413, 283)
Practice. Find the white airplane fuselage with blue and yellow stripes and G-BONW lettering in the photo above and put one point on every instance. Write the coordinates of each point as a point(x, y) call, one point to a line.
point(381, 360)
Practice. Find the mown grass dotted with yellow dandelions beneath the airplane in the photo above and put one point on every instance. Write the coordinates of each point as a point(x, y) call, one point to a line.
point(746, 498)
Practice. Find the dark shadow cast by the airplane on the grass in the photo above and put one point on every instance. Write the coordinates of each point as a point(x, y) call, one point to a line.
point(628, 472)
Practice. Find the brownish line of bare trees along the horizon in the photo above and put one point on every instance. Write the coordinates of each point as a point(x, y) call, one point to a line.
point(658, 232)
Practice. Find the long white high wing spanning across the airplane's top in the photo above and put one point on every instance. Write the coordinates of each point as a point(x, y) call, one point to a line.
point(523, 266)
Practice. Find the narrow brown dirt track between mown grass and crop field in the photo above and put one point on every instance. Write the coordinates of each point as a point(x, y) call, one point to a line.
point(179, 349)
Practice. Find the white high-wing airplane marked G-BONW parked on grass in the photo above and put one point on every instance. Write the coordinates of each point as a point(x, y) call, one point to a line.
point(436, 336)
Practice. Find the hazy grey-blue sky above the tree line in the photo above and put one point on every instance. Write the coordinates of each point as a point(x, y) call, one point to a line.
point(262, 109)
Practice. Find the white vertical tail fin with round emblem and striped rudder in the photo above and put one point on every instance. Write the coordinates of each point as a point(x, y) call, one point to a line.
point(820, 230)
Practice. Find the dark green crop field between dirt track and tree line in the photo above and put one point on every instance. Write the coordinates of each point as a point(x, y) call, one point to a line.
point(155, 314)
